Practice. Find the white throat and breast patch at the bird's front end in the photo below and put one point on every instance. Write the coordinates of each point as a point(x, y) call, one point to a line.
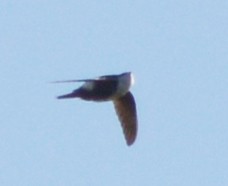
point(125, 83)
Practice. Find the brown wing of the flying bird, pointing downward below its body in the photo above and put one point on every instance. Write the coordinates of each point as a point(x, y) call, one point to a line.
point(126, 110)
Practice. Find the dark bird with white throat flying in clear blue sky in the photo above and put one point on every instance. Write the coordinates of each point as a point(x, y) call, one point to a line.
point(111, 88)
